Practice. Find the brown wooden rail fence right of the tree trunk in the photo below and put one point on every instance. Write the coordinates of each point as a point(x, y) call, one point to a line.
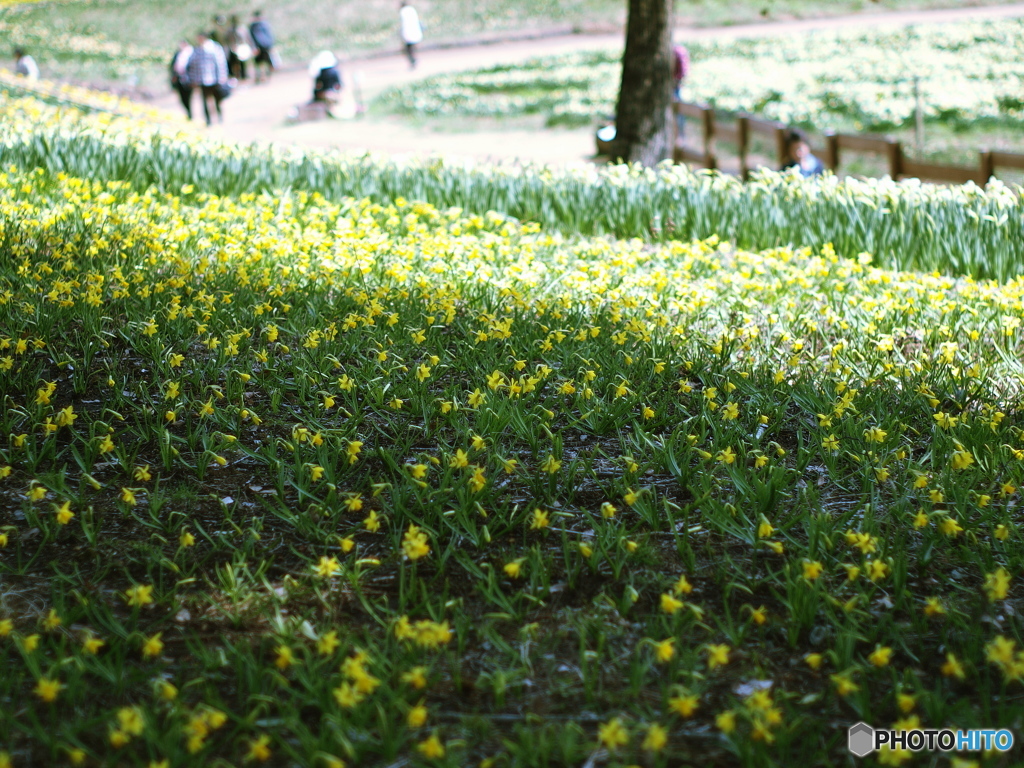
point(738, 131)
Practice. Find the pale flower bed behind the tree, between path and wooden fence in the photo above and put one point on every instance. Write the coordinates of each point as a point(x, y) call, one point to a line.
point(967, 72)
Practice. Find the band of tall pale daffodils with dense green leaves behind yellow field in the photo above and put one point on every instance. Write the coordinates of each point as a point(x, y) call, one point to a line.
point(965, 230)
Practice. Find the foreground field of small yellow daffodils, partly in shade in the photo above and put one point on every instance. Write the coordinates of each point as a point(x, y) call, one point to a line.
point(296, 481)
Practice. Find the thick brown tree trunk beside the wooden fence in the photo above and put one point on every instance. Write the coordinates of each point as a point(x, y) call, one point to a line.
point(644, 127)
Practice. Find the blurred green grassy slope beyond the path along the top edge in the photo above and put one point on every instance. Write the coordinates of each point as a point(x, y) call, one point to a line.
point(89, 40)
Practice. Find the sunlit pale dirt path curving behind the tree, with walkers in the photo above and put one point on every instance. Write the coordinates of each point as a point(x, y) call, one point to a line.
point(259, 113)
